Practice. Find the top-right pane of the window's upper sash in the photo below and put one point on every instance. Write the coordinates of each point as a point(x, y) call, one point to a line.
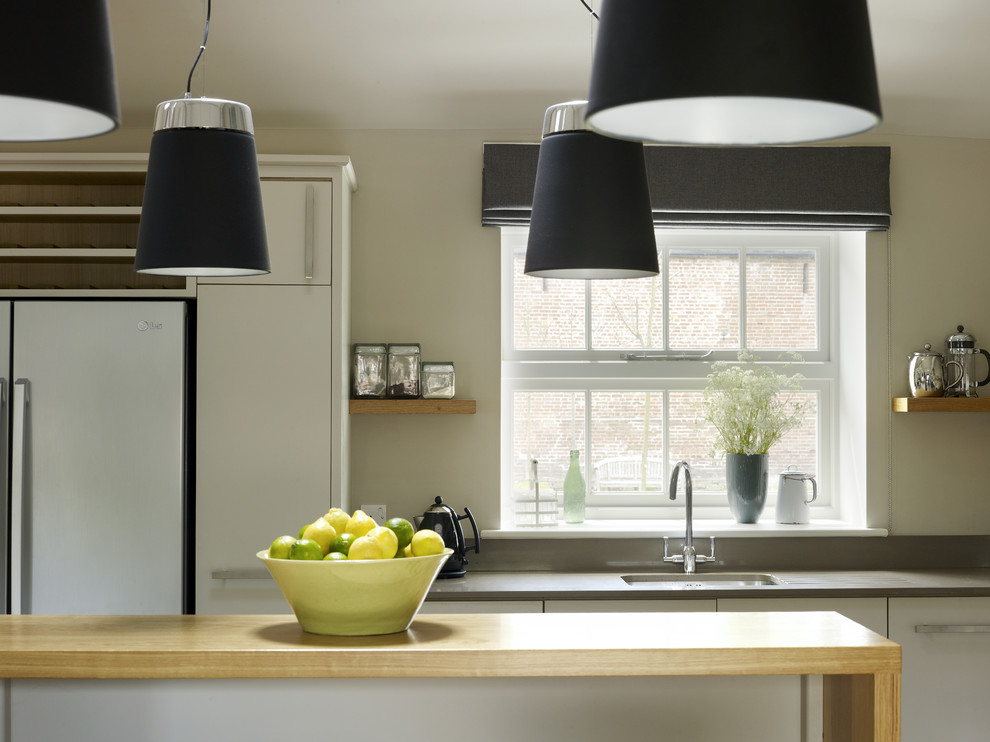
point(781, 299)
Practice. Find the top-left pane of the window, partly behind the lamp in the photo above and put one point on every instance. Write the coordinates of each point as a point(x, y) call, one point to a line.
point(547, 313)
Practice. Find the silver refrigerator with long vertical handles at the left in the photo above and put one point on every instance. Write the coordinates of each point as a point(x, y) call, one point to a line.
point(94, 416)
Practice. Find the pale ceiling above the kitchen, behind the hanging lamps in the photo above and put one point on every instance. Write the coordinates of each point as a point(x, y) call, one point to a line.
point(475, 64)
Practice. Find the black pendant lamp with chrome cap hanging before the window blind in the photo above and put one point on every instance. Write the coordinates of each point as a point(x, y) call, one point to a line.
point(591, 217)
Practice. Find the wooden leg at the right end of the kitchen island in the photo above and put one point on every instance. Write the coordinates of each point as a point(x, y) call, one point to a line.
point(862, 708)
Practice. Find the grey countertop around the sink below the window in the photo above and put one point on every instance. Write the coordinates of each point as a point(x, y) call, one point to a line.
point(610, 585)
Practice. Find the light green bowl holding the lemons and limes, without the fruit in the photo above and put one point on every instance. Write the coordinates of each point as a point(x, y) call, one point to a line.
point(358, 597)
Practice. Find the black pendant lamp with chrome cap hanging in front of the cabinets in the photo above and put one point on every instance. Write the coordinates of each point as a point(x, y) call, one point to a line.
point(202, 213)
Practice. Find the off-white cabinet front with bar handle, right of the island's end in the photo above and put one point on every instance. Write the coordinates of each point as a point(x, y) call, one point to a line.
point(945, 667)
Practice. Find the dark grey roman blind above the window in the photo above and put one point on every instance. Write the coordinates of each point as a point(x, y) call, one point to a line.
point(727, 187)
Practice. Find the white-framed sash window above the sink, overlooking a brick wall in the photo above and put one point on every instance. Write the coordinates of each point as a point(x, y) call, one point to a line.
point(615, 369)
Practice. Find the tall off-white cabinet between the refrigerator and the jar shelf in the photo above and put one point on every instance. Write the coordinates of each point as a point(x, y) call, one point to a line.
point(272, 369)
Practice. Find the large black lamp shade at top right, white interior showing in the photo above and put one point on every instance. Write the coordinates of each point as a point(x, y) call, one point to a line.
point(731, 72)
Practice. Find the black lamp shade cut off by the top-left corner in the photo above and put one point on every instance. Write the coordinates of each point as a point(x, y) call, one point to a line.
point(58, 77)
